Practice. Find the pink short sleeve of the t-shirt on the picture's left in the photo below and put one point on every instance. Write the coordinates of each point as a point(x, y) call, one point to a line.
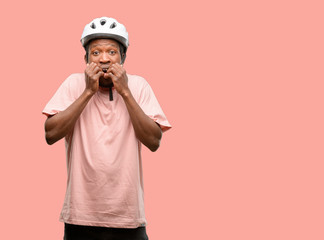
point(63, 98)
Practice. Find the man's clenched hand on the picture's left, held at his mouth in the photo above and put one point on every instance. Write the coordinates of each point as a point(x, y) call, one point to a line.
point(92, 74)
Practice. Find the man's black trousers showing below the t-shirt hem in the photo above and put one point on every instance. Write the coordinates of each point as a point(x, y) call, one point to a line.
point(77, 232)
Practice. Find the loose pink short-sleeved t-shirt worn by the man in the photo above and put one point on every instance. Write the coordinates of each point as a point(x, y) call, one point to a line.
point(104, 165)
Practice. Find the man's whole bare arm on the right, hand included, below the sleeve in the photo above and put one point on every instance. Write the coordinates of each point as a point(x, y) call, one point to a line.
point(146, 130)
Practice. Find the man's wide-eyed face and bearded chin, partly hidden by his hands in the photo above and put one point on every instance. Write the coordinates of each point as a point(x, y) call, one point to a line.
point(104, 52)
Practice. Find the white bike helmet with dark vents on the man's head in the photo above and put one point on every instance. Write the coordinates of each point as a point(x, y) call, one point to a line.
point(105, 27)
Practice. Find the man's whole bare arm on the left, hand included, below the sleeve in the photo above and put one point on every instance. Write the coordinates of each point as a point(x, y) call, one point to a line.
point(59, 125)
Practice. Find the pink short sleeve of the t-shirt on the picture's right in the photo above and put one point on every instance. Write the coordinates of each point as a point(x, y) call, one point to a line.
point(152, 108)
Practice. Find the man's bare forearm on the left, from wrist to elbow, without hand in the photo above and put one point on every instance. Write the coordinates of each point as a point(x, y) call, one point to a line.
point(59, 125)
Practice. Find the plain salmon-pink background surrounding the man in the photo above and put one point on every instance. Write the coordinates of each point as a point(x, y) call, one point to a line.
point(240, 81)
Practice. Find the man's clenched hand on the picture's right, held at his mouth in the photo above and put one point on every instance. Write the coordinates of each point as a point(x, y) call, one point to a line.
point(119, 77)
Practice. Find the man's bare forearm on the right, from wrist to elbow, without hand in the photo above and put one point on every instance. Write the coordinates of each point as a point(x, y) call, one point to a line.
point(146, 130)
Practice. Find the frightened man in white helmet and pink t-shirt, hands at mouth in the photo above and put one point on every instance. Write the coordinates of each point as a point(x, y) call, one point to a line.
point(105, 115)
